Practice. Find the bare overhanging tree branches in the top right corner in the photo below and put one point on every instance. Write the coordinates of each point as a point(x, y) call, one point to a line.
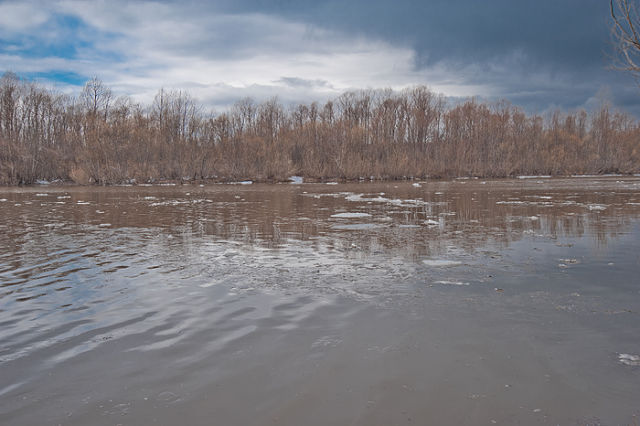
point(626, 35)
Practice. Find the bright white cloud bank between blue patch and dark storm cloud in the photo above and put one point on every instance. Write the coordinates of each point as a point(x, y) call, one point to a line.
point(221, 57)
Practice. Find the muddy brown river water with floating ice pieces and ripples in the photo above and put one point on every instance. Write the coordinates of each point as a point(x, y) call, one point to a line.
point(465, 302)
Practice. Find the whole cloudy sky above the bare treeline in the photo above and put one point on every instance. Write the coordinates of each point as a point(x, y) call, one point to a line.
point(541, 55)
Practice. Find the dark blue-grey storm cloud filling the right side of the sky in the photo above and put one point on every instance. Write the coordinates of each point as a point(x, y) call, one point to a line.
point(538, 53)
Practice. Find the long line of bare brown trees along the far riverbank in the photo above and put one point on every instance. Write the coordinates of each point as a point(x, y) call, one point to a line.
point(98, 138)
